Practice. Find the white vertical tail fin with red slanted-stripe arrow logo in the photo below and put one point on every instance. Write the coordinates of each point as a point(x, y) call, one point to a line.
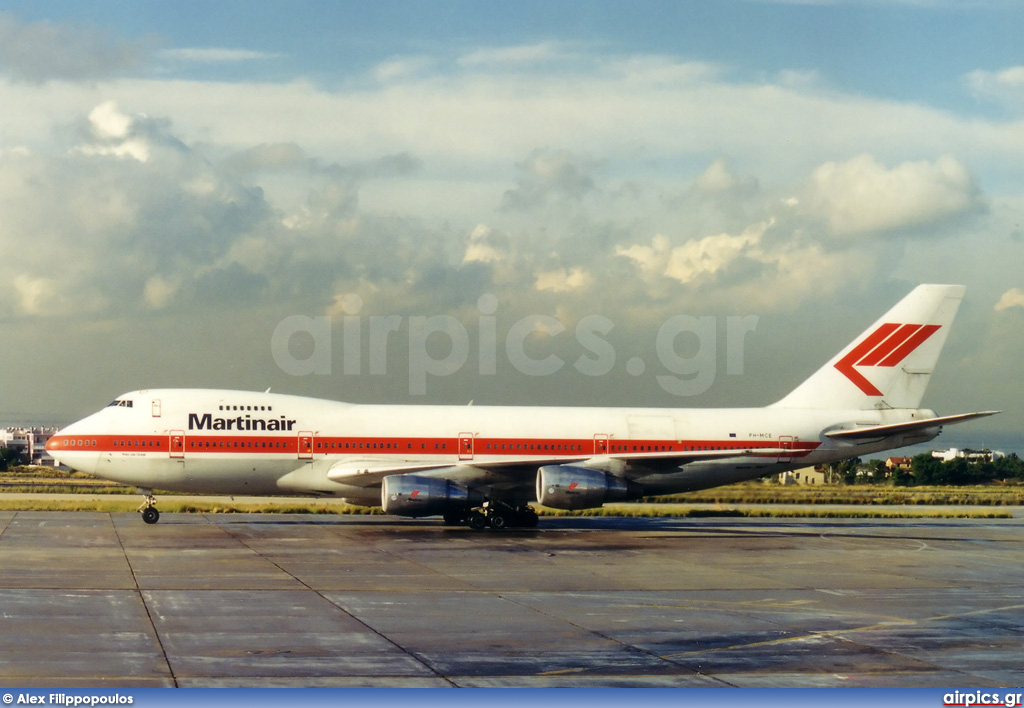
point(891, 363)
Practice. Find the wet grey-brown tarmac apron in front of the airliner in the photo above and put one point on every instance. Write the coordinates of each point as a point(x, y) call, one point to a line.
point(103, 600)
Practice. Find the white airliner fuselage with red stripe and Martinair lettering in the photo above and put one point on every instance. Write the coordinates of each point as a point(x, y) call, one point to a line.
point(208, 441)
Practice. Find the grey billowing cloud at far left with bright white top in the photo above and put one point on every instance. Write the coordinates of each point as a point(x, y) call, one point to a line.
point(141, 215)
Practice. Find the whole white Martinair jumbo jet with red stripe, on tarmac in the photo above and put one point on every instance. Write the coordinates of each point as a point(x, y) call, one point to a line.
point(485, 467)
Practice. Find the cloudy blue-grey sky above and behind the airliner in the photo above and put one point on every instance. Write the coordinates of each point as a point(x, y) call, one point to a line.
point(666, 204)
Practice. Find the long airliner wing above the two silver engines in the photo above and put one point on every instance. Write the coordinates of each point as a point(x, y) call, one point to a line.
point(370, 473)
